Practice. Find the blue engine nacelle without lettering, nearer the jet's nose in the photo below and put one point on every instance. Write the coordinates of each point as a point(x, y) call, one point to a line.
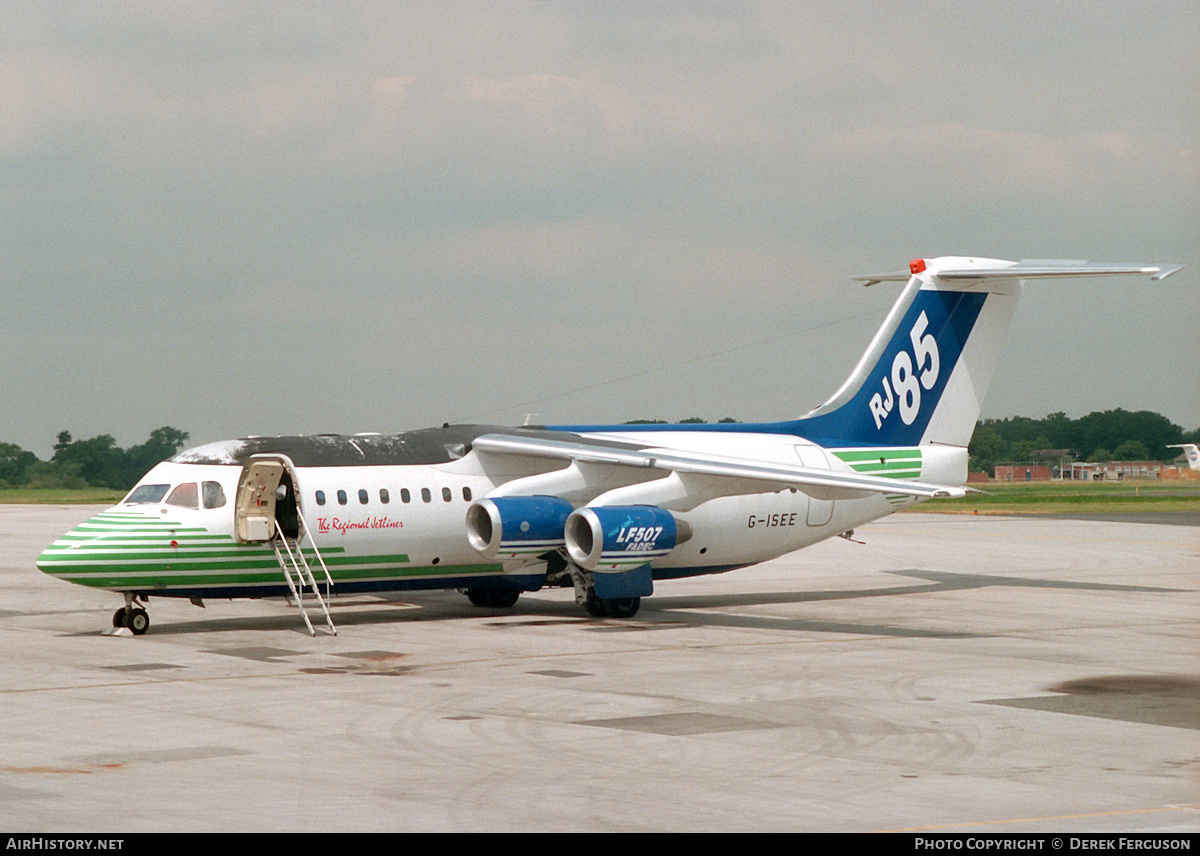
point(508, 528)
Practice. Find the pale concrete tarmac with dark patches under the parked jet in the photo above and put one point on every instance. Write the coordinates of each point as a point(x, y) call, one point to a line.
point(953, 674)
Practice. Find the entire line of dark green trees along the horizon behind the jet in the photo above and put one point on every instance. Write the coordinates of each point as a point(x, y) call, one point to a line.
point(1102, 436)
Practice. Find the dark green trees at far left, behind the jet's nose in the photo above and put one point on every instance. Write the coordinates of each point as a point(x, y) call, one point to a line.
point(95, 463)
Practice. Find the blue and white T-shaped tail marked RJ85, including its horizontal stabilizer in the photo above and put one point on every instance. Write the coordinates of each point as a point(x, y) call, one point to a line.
point(926, 374)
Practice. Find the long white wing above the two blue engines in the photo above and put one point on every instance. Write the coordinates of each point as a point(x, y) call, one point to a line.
point(760, 476)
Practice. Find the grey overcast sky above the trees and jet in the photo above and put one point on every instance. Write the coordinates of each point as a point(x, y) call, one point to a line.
point(274, 218)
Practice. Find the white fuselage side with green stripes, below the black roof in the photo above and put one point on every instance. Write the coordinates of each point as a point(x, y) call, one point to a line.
point(404, 526)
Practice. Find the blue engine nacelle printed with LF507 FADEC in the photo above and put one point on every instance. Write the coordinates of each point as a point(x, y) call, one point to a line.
point(619, 538)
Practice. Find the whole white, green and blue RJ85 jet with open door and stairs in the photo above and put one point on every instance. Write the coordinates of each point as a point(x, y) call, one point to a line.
point(608, 511)
